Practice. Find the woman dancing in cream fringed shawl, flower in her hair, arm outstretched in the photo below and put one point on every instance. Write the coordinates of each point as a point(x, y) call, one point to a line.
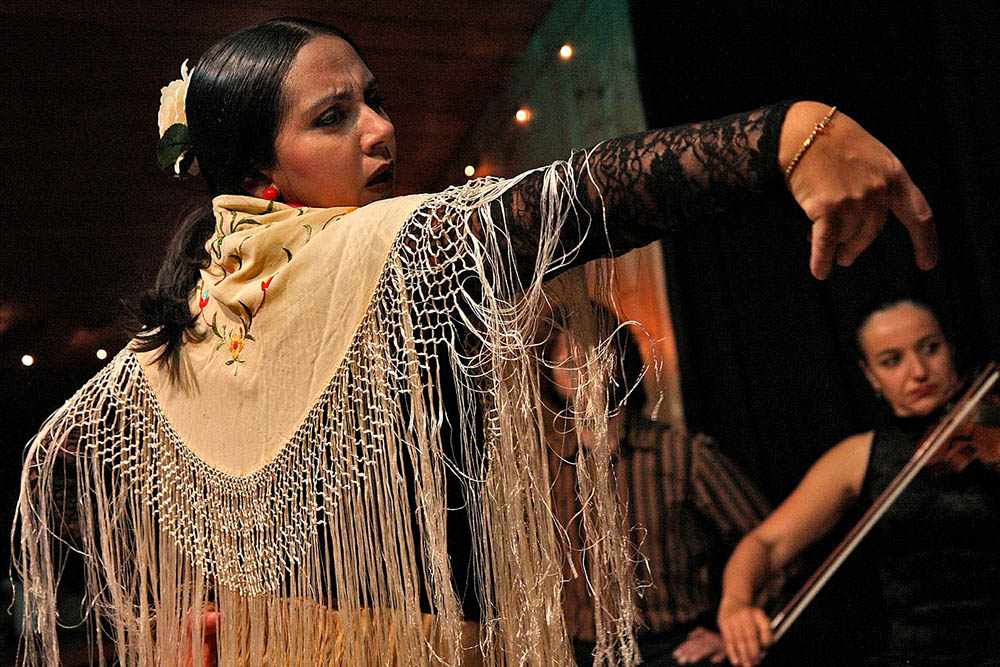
point(323, 373)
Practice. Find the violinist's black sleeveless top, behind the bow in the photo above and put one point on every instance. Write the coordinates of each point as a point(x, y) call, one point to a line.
point(938, 556)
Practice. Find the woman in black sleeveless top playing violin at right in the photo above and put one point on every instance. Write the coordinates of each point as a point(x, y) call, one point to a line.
point(938, 563)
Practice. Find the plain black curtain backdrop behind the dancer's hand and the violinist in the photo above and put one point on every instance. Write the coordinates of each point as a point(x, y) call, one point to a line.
point(766, 351)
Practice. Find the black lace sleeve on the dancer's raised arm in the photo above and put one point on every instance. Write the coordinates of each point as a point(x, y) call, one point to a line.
point(653, 184)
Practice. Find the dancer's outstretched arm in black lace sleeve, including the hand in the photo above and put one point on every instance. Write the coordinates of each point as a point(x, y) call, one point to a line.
point(653, 184)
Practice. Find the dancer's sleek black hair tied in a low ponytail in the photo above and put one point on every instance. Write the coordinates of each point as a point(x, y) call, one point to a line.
point(234, 108)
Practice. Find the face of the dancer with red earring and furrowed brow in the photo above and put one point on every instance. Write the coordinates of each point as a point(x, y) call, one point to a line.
point(335, 146)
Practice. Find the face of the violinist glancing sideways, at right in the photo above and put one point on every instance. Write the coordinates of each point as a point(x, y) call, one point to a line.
point(908, 359)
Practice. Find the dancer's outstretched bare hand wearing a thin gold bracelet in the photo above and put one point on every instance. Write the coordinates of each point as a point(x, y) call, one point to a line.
point(847, 182)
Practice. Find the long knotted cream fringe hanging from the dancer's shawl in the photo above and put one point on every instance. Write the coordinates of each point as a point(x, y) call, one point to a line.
point(332, 552)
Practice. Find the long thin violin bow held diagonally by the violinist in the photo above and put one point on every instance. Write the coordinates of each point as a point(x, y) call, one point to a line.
point(928, 447)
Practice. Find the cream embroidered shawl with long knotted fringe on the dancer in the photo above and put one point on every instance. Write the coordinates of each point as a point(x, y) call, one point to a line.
point(293, 462)
